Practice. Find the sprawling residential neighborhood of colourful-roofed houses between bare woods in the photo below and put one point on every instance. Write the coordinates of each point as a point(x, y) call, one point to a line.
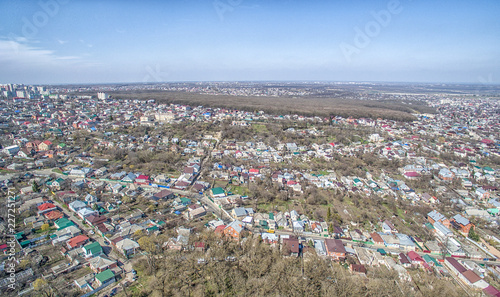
point(101, 184)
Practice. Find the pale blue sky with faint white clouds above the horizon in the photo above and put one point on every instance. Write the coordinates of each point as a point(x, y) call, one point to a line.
point(70, 41)
